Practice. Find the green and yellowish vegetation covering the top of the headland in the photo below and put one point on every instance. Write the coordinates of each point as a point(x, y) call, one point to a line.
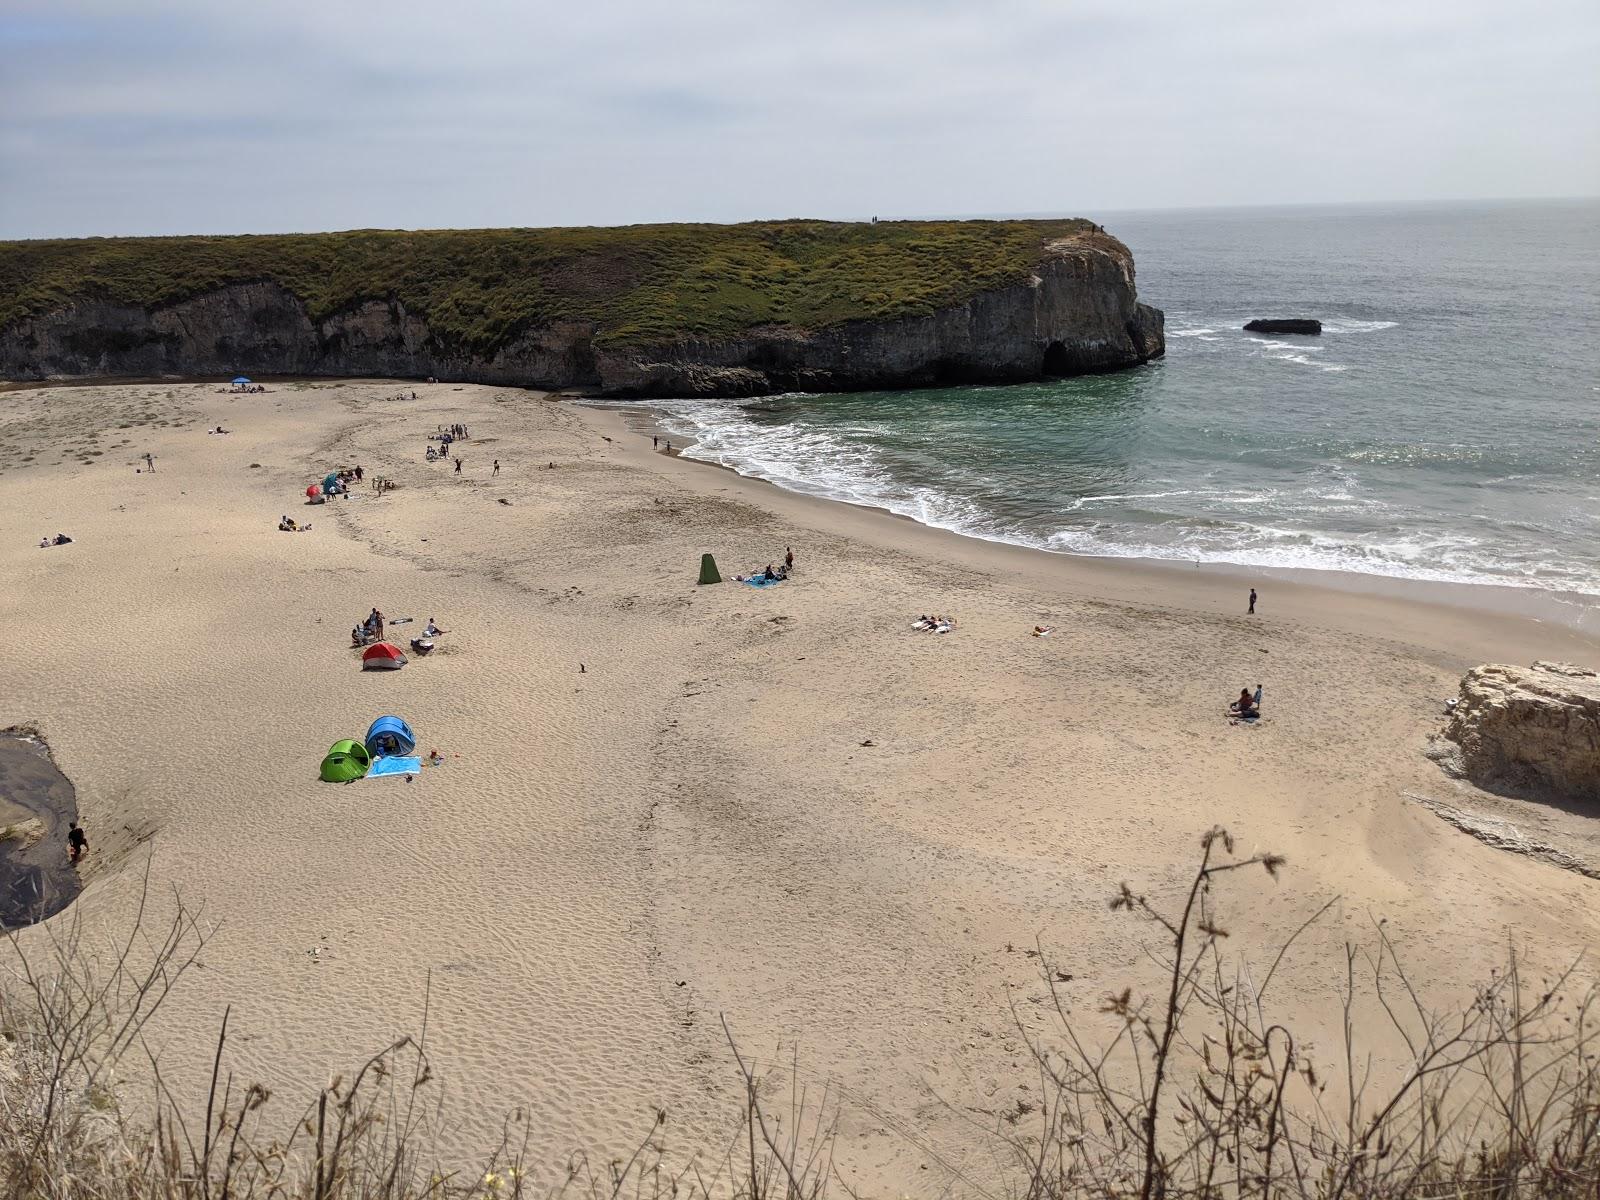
point(639, 284)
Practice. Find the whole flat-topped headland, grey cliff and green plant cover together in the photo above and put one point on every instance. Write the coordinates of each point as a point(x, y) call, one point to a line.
point(628, 313)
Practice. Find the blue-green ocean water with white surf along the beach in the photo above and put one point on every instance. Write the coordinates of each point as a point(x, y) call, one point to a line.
point(1446, 425)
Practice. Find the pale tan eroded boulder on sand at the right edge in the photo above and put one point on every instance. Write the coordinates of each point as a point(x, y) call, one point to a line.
point(1529, 730)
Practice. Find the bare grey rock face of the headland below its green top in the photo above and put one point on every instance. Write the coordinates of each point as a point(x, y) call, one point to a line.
point(1078, 313)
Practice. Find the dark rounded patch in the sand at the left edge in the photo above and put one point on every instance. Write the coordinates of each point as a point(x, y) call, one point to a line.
point(36, 878)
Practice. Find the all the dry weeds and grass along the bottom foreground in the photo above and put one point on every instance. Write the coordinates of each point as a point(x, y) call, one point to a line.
point(1198, 1094)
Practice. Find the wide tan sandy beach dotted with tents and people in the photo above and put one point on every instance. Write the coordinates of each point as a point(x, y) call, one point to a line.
point(665, 804)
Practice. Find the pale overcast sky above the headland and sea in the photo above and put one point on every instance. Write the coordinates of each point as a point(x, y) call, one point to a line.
point(231, 116)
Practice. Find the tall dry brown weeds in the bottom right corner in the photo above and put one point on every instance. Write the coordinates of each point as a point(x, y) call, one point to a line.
point(1202, 1095)
